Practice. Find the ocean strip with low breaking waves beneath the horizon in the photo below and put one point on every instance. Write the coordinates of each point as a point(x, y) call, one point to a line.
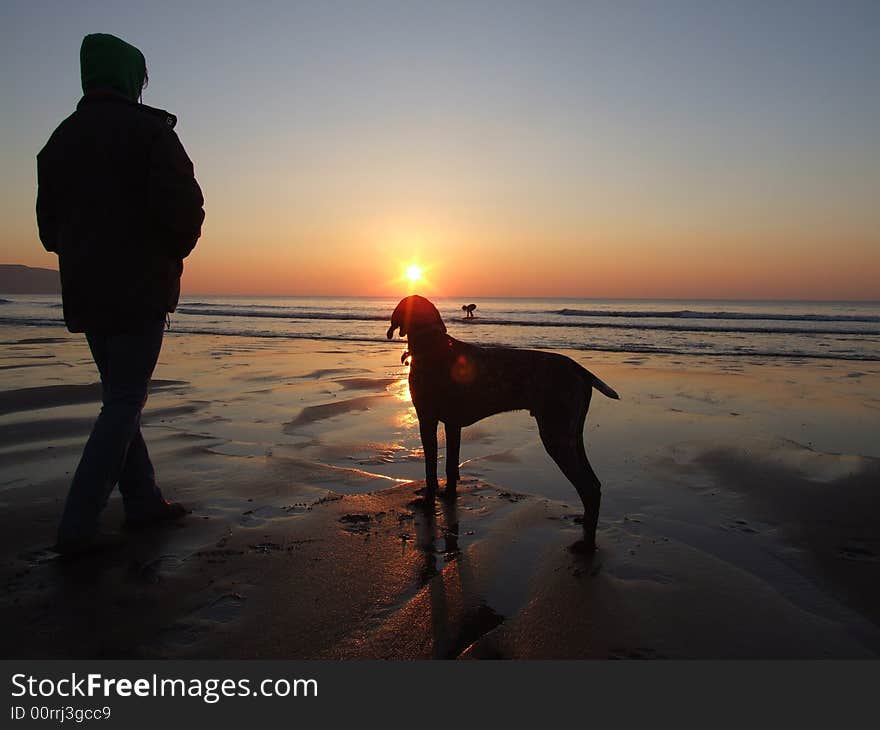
point(758, 329)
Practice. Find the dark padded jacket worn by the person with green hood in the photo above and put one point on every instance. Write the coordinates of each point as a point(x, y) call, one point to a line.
point(118, 202)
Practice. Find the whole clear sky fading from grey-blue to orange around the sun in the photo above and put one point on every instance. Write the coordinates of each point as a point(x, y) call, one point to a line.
point(591, 152)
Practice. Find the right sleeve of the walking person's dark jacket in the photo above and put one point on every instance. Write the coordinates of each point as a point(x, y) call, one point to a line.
point(175, 198)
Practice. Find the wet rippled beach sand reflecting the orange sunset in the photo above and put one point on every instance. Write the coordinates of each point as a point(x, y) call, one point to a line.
point(740, 515)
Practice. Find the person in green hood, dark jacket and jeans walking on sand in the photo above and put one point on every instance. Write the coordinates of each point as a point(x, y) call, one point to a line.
point(119, 203)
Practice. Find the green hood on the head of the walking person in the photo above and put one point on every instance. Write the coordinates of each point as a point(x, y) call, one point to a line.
point(108, 61)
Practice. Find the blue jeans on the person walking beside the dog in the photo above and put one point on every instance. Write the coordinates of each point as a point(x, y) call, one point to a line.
point(116, 452)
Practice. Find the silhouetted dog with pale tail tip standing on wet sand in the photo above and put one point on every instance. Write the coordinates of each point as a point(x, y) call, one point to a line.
point(459, 384)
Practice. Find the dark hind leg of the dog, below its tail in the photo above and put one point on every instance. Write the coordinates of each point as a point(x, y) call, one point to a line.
point(562, 436)
